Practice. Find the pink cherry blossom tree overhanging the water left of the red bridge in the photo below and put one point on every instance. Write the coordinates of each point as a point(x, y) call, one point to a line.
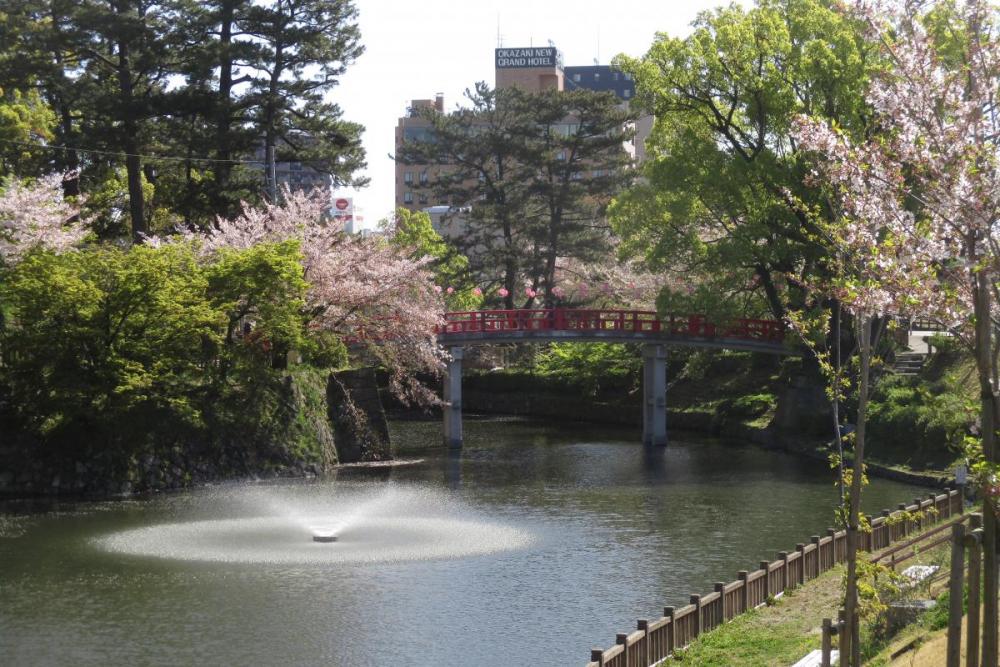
point(369, 292)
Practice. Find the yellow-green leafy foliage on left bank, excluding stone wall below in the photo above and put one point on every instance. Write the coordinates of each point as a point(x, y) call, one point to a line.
point(122, 348)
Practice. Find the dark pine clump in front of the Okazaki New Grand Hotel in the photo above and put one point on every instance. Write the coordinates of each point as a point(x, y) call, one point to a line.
point(530, 175)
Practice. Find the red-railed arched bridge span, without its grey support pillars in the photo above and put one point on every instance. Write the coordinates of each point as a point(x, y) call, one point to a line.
point(625, 326)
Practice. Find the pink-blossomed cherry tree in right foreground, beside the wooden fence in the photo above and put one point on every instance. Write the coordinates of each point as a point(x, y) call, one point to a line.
point(921, 198)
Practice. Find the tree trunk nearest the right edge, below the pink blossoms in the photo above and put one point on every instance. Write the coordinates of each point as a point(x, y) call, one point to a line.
point(988, 419)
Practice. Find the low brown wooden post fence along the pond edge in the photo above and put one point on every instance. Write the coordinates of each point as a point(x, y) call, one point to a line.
point(655, 640)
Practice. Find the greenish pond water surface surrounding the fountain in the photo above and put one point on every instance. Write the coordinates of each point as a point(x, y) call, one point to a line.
point(604, 531)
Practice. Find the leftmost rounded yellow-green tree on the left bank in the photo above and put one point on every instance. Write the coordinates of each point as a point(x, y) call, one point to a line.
point(106, 338)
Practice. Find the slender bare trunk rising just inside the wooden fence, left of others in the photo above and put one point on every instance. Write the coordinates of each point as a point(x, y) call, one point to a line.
point(852, 629)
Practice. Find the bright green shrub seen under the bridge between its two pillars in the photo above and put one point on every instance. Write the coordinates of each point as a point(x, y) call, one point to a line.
point(590, 365)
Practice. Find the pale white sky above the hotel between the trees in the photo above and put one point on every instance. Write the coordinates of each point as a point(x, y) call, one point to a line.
point(417, 48)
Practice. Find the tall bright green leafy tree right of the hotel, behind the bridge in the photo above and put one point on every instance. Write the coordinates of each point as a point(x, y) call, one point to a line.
point(717, 201)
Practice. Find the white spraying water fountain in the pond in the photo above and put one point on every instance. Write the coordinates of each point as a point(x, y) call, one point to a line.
point(320, 524)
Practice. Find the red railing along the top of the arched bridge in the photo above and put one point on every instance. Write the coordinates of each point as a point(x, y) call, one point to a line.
point(624, 321)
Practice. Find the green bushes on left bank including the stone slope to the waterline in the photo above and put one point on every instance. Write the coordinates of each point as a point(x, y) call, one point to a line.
point(127, 369)
